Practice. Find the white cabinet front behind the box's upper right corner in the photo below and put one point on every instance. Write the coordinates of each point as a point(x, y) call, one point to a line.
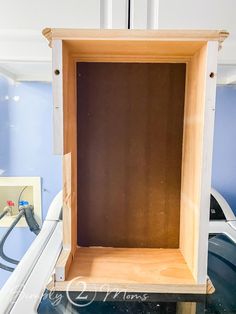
point(202, 14)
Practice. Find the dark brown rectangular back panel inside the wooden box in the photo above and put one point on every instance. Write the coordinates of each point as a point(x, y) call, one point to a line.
point(130, 129)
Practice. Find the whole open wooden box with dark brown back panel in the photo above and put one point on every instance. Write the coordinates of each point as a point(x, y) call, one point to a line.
point(134, 117)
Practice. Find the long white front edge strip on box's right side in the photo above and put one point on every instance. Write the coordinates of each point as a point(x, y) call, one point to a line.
point(208, 132)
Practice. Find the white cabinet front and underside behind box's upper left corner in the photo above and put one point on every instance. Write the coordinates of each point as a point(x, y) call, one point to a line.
point(24, 53)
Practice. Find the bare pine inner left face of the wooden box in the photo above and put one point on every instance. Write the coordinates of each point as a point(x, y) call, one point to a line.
point(70, 149)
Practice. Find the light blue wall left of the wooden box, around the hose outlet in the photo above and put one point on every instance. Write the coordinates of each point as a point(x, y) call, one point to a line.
point(26, 148)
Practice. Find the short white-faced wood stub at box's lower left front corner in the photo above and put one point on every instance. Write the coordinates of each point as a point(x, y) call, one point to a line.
point(63, 265)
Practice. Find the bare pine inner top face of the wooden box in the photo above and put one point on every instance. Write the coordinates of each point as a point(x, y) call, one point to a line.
point(132, 51)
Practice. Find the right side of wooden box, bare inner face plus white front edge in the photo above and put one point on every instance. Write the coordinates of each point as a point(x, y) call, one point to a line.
point(196, 159)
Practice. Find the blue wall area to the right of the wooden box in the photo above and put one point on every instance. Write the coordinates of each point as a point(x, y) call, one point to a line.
point(224, 154)
